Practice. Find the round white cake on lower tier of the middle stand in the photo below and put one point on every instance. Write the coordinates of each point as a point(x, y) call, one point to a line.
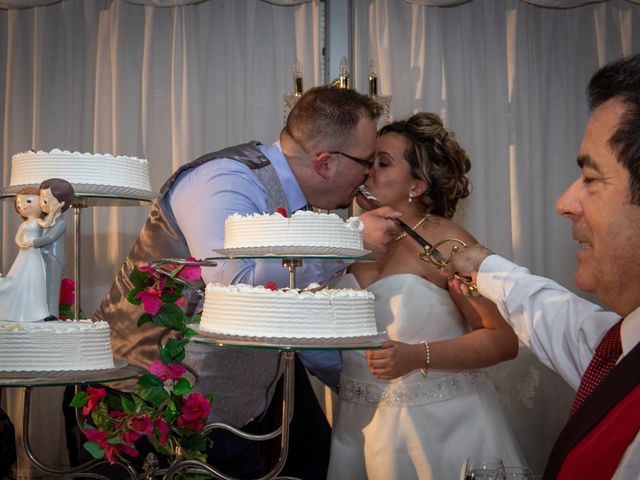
point(244, 310)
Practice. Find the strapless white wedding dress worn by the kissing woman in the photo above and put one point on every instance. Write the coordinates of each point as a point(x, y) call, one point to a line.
point(415, 427)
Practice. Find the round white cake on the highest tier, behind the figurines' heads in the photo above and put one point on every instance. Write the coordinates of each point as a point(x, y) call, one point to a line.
point(80, 169)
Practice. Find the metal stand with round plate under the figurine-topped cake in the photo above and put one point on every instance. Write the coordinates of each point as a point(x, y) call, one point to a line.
point(30, 380)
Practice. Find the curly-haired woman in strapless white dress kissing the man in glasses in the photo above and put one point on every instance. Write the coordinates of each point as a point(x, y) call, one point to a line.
point(419, 406)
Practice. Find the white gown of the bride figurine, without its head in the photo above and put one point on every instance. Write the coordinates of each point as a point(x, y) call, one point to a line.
point(23, 295)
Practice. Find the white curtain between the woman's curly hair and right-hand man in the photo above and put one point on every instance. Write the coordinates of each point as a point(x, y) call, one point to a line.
point(509, 78)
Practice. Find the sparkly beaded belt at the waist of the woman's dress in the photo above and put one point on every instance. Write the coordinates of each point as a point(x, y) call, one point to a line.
point(403, 394)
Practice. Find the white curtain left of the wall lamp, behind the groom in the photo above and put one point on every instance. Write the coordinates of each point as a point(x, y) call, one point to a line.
point(167, 84)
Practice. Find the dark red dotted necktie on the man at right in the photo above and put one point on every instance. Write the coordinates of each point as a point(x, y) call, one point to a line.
point(603, 361)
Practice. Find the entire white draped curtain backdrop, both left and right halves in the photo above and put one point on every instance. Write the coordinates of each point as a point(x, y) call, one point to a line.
point(172, 83)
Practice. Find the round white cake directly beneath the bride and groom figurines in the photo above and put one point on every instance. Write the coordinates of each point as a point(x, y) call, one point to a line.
point(55, 346)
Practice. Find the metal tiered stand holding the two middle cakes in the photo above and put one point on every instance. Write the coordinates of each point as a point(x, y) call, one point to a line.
point(287, 347)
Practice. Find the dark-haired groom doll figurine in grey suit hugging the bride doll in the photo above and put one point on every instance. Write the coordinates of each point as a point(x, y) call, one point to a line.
point(56, 196)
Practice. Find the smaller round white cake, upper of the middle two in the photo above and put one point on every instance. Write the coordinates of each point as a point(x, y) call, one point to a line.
point(303, 231)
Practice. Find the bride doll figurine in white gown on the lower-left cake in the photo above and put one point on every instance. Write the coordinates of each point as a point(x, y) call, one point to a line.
point(23, 296)
